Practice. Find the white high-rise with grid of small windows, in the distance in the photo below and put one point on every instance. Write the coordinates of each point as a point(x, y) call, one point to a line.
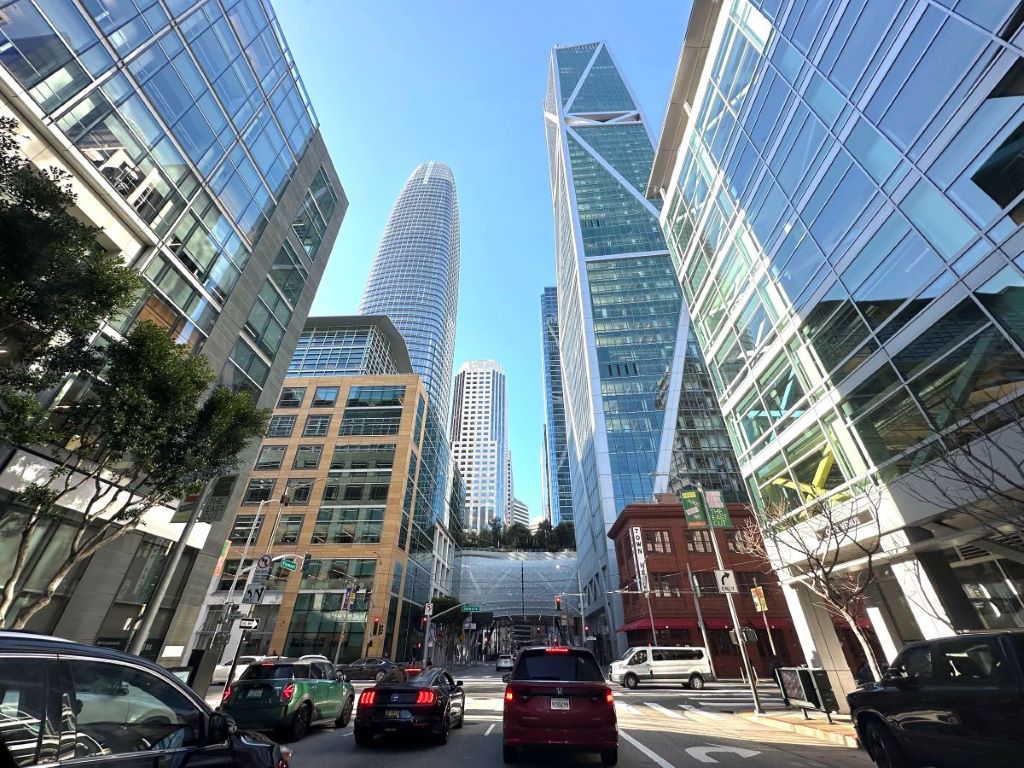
point(480, 441)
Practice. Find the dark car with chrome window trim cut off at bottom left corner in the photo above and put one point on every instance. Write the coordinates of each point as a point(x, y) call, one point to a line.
point(108, 707)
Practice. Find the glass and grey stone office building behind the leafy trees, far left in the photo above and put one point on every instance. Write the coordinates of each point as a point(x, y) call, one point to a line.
point(191, 144)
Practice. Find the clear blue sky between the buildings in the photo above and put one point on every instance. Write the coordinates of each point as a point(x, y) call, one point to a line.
point(461, 81)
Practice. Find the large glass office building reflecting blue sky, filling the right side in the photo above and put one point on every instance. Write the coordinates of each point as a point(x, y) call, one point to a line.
point(843, 200)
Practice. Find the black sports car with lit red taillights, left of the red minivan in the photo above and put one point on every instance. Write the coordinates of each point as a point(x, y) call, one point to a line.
point(431, 704)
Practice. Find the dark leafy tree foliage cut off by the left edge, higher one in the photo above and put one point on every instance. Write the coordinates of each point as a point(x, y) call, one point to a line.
point(57, 286)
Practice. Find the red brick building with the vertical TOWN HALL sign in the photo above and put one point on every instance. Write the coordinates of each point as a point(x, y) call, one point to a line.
point(671, 544)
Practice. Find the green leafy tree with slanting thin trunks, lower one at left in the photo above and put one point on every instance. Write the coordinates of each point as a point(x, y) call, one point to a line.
point(145, 436)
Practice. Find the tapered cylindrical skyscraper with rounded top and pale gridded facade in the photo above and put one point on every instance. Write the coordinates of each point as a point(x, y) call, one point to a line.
point(415, 277)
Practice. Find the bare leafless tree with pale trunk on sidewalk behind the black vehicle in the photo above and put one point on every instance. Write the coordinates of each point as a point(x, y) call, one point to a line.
point(815, 545)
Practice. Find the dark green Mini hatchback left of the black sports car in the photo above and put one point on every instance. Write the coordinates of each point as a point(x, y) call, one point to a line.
point(289, 696)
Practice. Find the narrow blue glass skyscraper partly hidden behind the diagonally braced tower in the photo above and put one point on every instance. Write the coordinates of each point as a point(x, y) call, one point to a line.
point(559, 486)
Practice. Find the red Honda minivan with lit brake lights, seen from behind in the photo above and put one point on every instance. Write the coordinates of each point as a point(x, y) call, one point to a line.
point(559, 698)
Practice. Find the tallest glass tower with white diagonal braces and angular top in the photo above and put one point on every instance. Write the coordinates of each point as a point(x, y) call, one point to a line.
point(623, 346)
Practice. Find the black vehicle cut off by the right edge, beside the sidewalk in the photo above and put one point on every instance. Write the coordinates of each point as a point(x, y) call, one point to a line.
point(948, 703)
